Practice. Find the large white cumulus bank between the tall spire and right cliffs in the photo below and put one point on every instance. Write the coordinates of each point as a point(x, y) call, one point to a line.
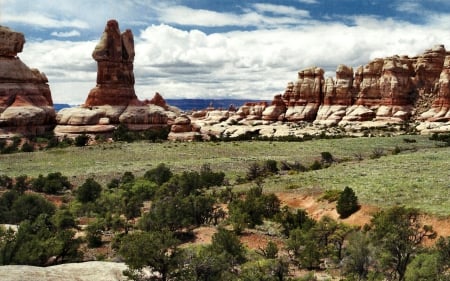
point(259, 63)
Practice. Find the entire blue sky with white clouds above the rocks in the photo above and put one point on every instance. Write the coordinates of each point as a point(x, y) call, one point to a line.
point(217, 49)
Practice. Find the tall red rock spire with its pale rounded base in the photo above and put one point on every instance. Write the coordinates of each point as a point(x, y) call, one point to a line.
point(113, 101)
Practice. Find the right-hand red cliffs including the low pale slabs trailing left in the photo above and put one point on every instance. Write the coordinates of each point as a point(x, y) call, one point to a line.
point(383, 93)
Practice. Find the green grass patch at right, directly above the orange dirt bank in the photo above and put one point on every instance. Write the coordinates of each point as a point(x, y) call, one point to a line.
point(420, 180)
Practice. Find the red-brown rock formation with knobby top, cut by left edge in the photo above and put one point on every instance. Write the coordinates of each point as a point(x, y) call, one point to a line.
point(26, 106)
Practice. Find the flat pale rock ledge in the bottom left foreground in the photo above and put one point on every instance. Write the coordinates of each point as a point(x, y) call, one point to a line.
point(86, 271)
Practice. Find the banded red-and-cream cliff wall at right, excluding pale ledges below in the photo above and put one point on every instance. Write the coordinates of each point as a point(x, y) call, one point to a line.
point(393, 89)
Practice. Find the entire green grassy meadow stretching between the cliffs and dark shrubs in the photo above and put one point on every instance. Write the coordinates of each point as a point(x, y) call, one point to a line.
point(418, 176)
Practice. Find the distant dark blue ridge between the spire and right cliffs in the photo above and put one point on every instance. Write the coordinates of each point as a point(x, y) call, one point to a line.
point(199, 104)
